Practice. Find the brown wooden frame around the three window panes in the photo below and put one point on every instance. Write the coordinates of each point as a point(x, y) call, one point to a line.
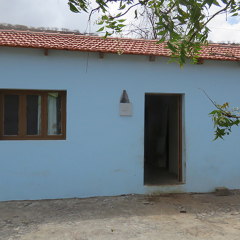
point(22, 115)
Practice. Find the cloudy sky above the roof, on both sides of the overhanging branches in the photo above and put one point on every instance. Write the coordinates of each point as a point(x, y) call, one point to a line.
point(56, 13)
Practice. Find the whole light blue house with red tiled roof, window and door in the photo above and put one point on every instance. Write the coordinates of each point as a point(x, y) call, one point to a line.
point(78, 120)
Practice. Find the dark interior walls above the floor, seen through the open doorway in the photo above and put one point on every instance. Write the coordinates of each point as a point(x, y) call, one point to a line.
point(161, 131)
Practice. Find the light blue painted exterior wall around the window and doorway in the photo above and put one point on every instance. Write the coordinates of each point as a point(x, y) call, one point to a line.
point(103, 153)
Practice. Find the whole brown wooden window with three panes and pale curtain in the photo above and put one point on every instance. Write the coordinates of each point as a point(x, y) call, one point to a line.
point(32, 115)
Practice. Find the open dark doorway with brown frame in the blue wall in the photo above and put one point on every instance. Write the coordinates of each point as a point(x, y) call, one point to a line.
point(163, 139)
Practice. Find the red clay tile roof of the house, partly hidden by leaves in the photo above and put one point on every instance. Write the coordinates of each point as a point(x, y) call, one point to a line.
point(13, 38)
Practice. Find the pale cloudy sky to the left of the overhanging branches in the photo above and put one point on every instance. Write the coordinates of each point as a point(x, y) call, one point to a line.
point(44, 13)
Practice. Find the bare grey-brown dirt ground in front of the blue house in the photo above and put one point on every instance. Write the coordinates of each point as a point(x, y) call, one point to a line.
point(171, 216)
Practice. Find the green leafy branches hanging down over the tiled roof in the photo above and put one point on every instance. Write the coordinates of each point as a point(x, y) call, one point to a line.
point(183, 23)
